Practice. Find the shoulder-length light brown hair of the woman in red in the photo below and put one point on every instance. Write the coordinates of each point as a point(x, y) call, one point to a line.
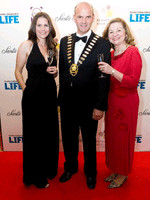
point(128, 38)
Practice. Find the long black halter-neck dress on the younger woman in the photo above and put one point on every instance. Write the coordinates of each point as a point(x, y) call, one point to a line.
point(40, 122)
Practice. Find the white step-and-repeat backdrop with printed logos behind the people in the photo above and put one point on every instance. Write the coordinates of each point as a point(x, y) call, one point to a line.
point(15, 19)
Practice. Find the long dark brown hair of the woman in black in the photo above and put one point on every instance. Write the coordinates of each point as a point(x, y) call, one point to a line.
point(51, 44)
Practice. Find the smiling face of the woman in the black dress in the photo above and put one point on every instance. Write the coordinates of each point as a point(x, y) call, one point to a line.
point(42, 28)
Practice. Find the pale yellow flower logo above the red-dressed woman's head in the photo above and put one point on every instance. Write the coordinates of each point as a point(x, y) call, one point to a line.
point(107, 12)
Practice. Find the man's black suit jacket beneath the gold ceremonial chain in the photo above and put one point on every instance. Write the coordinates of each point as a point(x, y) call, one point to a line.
point(86, 85)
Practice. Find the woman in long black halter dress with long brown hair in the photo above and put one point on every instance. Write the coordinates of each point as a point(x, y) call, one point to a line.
point(39, 102)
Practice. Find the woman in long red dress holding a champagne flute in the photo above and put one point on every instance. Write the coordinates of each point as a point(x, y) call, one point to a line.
point(123, 101)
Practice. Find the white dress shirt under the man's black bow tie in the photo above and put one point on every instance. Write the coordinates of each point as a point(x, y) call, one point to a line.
point(79, 46)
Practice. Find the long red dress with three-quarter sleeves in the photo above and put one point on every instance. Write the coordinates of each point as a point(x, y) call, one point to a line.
point(122, 114)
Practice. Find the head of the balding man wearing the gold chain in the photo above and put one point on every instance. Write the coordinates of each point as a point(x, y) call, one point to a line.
point(83, 18)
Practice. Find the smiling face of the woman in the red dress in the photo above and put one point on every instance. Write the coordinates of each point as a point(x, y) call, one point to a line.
point(116, 34)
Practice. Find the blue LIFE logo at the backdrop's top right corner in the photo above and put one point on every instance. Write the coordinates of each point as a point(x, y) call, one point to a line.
point(139, 16)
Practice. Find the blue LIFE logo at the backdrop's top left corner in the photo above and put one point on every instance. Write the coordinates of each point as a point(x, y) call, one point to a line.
point(9, 18)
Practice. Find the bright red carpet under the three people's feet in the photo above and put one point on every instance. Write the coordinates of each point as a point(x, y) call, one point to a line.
point(136, 187)
